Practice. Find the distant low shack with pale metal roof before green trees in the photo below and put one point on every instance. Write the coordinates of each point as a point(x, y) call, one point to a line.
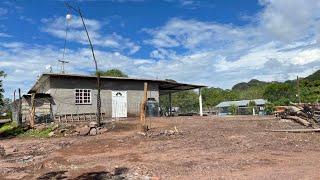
point(242, 107)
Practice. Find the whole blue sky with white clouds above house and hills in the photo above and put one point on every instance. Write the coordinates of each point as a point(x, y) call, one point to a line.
point(215, 43)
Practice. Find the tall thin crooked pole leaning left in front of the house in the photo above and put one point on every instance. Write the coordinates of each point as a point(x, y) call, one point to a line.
point(77, 10)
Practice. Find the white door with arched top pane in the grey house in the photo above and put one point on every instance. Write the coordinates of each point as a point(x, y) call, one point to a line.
point(119, 104)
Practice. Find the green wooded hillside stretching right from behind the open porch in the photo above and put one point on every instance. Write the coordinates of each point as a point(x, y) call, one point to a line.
point(277, 93)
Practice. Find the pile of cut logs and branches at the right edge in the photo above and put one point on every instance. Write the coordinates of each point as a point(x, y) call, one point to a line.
point(304, 114)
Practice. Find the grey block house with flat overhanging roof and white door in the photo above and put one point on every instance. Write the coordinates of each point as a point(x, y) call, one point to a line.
point(73, 97)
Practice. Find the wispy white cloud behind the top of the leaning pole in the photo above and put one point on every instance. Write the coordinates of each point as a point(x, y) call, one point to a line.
point(57, 28)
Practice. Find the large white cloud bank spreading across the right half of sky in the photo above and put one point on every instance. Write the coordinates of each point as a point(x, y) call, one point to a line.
point(233, 54)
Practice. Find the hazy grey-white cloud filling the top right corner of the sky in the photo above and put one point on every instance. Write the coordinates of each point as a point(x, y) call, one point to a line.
point(289, 20)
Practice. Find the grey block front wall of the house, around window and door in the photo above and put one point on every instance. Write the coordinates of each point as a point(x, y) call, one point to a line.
point(62, 92)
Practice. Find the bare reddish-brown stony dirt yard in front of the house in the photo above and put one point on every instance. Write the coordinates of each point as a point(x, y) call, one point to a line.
point(208, 147)
